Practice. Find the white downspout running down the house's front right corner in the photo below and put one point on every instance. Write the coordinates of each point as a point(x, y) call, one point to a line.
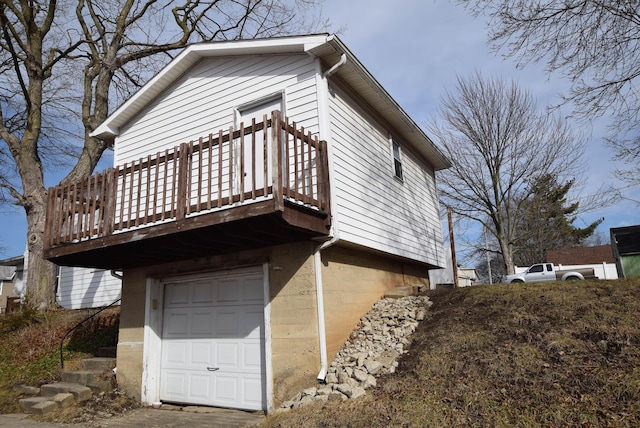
point(317, 256)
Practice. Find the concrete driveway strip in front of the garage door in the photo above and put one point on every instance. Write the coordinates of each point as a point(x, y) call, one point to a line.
point(148, 417)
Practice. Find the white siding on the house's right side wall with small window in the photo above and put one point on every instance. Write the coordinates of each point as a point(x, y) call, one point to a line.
point(375, 209)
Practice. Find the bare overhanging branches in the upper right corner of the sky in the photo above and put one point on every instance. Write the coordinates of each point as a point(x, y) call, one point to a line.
point(595, 43)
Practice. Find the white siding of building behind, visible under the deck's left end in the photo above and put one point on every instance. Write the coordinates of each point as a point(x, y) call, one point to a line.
point(80, 288)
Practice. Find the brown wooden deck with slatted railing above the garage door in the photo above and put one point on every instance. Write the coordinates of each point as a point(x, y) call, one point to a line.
point(264, 184)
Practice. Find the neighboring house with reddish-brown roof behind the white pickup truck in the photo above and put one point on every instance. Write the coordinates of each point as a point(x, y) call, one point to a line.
point(599, 257)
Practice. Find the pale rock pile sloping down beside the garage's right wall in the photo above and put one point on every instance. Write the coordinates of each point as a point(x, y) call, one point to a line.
point(371, 350)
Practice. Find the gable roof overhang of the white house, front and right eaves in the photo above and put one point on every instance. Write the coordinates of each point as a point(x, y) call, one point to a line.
point(328, 48)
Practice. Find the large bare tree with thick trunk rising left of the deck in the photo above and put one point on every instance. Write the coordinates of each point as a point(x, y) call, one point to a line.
point(64, 63)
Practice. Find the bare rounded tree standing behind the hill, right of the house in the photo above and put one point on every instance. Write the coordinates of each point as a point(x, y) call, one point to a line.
point(499, 141)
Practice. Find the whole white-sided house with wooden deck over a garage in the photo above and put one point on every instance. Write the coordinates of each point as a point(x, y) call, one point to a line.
point(250, 249)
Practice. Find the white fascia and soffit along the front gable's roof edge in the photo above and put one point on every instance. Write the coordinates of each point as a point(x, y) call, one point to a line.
point(110, 128)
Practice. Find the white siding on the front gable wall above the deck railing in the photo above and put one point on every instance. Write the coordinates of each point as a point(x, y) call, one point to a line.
point(203, 101)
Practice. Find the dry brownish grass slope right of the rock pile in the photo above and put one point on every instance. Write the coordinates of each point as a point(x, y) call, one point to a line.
point(551, 355)
